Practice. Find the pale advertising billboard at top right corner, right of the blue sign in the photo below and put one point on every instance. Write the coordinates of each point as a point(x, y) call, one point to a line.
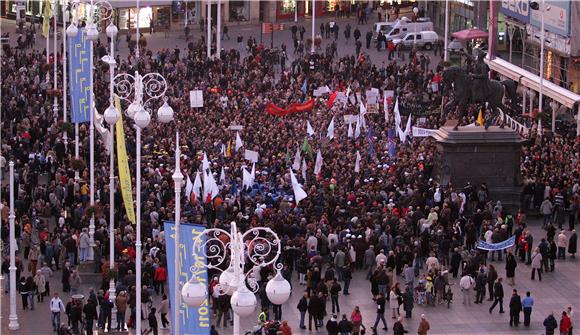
point(556, 17)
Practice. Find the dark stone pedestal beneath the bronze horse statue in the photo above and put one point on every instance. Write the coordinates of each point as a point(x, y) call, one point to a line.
point(476, 155)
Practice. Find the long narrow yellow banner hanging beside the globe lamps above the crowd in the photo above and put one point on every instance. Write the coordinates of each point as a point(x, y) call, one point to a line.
point(123, 164)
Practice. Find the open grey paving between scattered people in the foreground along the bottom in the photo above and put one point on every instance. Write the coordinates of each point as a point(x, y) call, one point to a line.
point(555, 292)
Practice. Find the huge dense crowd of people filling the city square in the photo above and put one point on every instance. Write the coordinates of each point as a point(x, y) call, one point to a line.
point(393, 220)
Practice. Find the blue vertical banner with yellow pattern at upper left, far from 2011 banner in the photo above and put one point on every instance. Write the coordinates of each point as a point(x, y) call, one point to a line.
point(79, 74)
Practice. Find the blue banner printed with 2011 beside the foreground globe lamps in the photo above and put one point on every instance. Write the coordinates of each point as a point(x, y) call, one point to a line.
point(193, 320)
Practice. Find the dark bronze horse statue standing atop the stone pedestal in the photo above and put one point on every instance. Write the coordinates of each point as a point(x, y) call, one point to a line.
point(471, 89)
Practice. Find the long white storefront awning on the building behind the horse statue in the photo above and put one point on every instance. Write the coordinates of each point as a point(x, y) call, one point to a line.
point(532, 81)
